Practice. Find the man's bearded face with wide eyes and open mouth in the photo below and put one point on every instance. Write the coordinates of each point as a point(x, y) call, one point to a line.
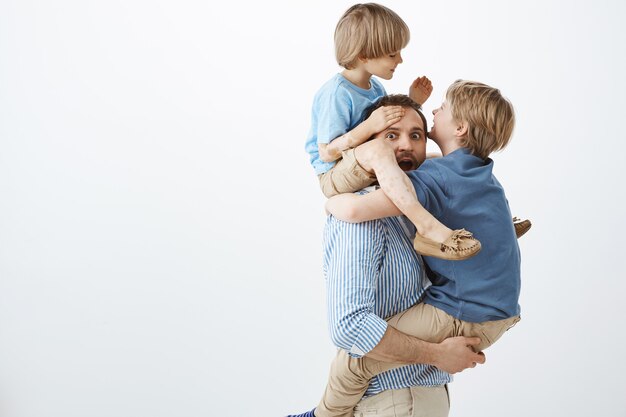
point(408, 140)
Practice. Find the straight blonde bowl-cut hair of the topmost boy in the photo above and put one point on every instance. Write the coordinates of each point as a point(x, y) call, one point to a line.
point(368, 30)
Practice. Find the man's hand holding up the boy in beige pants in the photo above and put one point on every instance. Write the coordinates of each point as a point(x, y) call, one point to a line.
point(455, 354)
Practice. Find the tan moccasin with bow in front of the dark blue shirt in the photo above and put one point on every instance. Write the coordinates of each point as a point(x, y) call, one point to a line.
point(460, 245)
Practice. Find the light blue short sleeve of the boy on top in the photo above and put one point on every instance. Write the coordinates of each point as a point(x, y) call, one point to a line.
point(334, 115)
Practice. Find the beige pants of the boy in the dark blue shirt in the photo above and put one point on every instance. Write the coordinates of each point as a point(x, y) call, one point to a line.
point(349, 377)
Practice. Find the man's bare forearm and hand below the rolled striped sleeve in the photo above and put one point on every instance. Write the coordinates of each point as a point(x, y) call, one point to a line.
point(452, 355)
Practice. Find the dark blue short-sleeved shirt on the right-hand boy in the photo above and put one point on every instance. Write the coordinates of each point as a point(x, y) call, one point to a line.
point(461, 191)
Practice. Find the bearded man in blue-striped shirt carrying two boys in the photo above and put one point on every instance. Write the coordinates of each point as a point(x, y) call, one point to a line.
point(373, 273)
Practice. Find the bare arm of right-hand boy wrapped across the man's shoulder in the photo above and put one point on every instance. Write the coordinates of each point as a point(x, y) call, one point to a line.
point(354, 208)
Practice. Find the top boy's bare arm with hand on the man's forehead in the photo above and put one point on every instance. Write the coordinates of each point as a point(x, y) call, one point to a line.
point(379, 120)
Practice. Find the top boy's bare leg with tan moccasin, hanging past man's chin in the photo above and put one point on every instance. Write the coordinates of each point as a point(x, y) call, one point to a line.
point(378, 157)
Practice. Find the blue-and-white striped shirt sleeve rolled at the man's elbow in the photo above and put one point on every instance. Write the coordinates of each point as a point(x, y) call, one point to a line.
point(353, 255)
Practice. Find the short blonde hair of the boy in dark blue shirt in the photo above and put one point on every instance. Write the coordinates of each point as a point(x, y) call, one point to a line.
point(489, 116)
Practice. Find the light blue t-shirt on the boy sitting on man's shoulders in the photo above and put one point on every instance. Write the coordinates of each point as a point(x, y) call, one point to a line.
point(337, 108)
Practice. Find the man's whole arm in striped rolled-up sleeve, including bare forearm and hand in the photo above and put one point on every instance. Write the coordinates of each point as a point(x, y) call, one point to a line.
point(352, 256)
